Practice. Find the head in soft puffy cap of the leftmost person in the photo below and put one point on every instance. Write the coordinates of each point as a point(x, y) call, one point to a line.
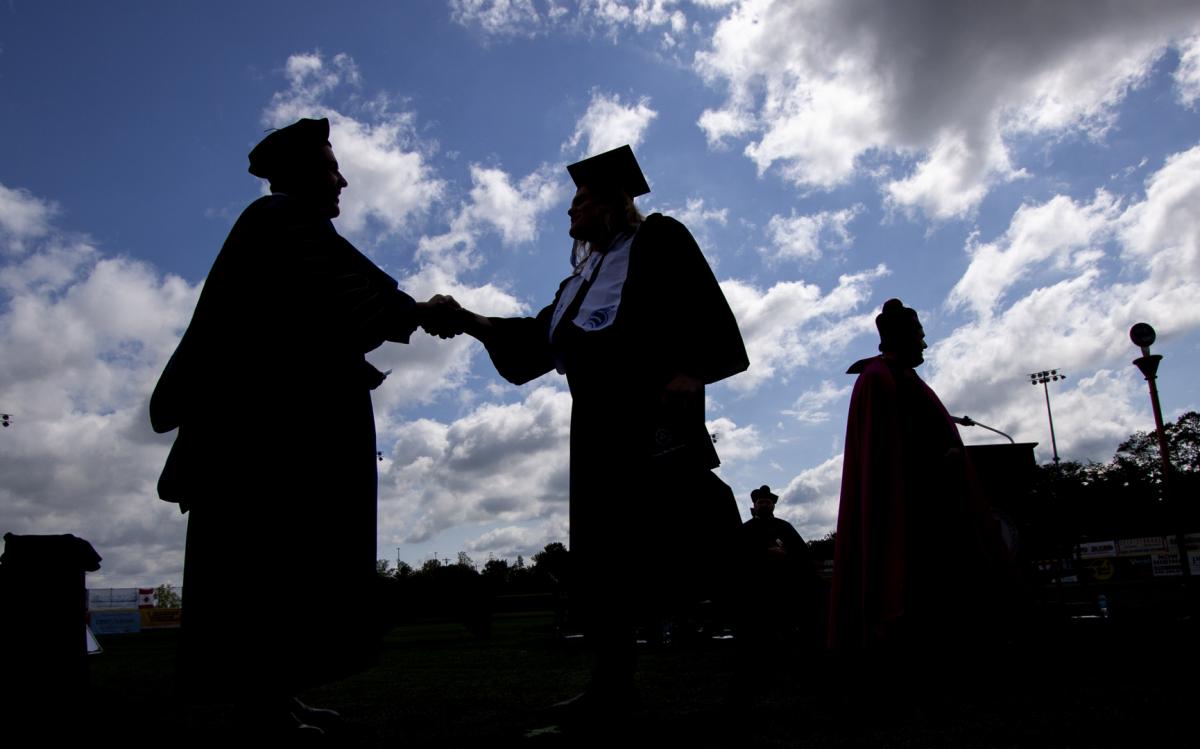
point(299, 161)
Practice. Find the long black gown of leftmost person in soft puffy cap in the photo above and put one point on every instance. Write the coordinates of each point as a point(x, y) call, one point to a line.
point(275, 459)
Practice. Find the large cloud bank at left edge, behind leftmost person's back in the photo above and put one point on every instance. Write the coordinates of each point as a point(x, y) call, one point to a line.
point(83, 338)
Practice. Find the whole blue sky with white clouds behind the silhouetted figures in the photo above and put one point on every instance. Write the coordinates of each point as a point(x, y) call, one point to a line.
point(1025, 175)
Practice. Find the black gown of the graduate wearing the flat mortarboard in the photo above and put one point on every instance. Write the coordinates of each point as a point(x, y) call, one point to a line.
point(639, 524)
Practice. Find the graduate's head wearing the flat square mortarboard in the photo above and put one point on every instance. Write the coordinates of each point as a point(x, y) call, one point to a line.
point(604, 199)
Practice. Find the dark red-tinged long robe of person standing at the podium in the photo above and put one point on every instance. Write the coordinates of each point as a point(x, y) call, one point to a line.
point(910, 554)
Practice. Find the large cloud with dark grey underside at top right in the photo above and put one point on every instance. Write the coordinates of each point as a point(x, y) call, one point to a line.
point(825, 91)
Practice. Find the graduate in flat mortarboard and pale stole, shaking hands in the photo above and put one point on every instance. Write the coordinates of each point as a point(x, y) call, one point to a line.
point(639, 328)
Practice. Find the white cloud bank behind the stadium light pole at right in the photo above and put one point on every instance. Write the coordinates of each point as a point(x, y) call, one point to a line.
point(1060, 290)
